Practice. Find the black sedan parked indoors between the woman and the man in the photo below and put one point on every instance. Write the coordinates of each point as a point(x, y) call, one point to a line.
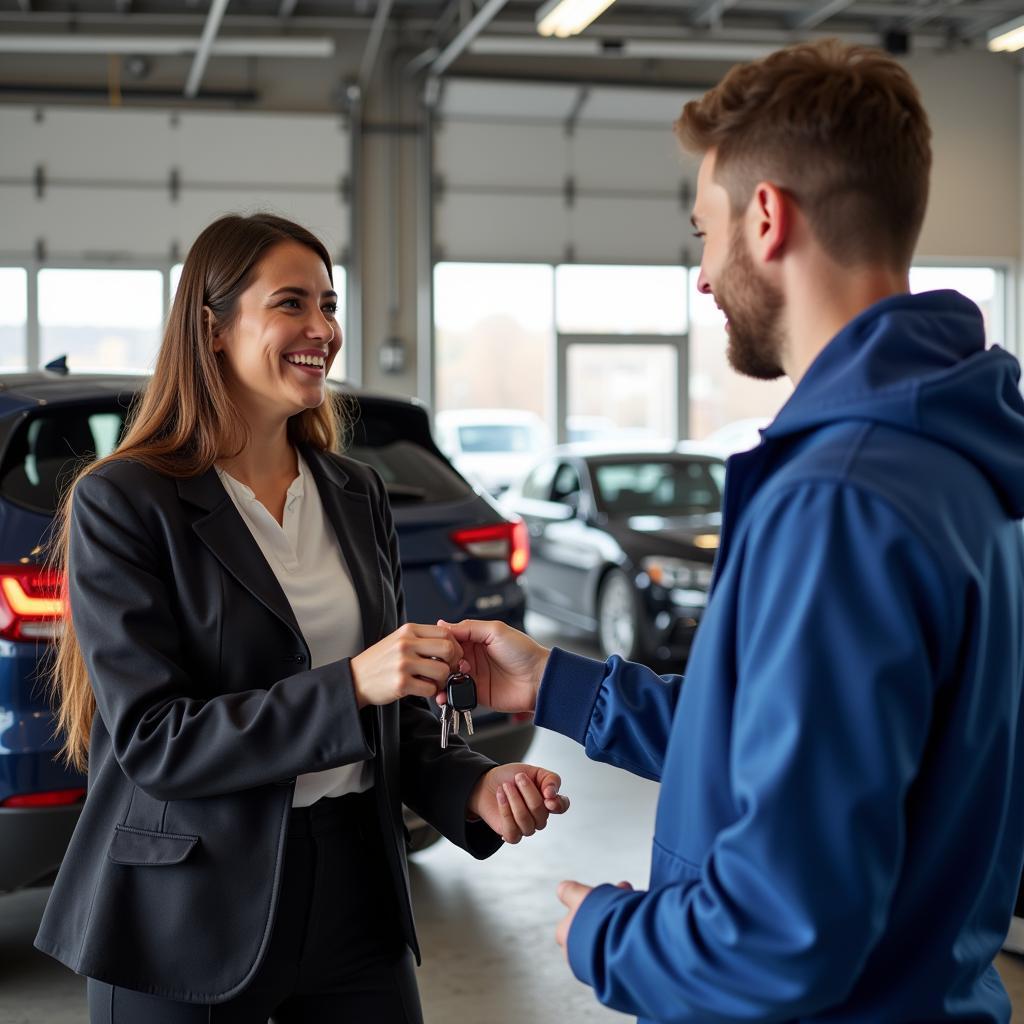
point(622, 545)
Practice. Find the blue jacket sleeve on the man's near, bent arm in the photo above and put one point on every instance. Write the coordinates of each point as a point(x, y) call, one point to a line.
point(845, 626)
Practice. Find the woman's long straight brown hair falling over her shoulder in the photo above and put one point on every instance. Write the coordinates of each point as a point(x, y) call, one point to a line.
point(184, 421)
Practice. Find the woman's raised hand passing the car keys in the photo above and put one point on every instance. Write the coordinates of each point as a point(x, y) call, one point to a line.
point(415, 661)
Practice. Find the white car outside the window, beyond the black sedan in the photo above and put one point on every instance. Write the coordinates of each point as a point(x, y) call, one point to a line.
point(493, 447)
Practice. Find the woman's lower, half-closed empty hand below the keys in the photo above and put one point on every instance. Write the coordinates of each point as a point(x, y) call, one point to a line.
point(517, 800)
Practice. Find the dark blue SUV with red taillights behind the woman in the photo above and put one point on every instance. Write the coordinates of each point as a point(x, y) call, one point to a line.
point(460, 557)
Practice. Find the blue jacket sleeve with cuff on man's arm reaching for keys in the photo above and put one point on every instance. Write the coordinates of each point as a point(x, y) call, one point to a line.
point(620, 711)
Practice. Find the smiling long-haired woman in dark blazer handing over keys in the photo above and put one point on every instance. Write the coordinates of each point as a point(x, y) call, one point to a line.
point(238, 669)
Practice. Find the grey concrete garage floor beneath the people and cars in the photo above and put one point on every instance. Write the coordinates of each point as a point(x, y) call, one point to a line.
point(487, 929)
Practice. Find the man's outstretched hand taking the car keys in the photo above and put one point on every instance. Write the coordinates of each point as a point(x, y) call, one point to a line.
point(506, 665)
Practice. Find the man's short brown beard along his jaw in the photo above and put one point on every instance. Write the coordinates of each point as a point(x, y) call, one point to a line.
point(754, 308)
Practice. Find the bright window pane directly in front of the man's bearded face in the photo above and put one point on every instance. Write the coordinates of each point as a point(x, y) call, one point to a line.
point(721, 400)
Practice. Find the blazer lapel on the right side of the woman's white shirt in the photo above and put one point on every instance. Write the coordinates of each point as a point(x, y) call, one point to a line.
point(352, 517)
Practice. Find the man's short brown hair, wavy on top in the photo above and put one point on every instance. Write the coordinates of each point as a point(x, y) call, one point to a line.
point(840, 129)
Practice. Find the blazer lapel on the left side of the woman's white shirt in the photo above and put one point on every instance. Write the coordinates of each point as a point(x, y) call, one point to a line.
point(226, 534)
